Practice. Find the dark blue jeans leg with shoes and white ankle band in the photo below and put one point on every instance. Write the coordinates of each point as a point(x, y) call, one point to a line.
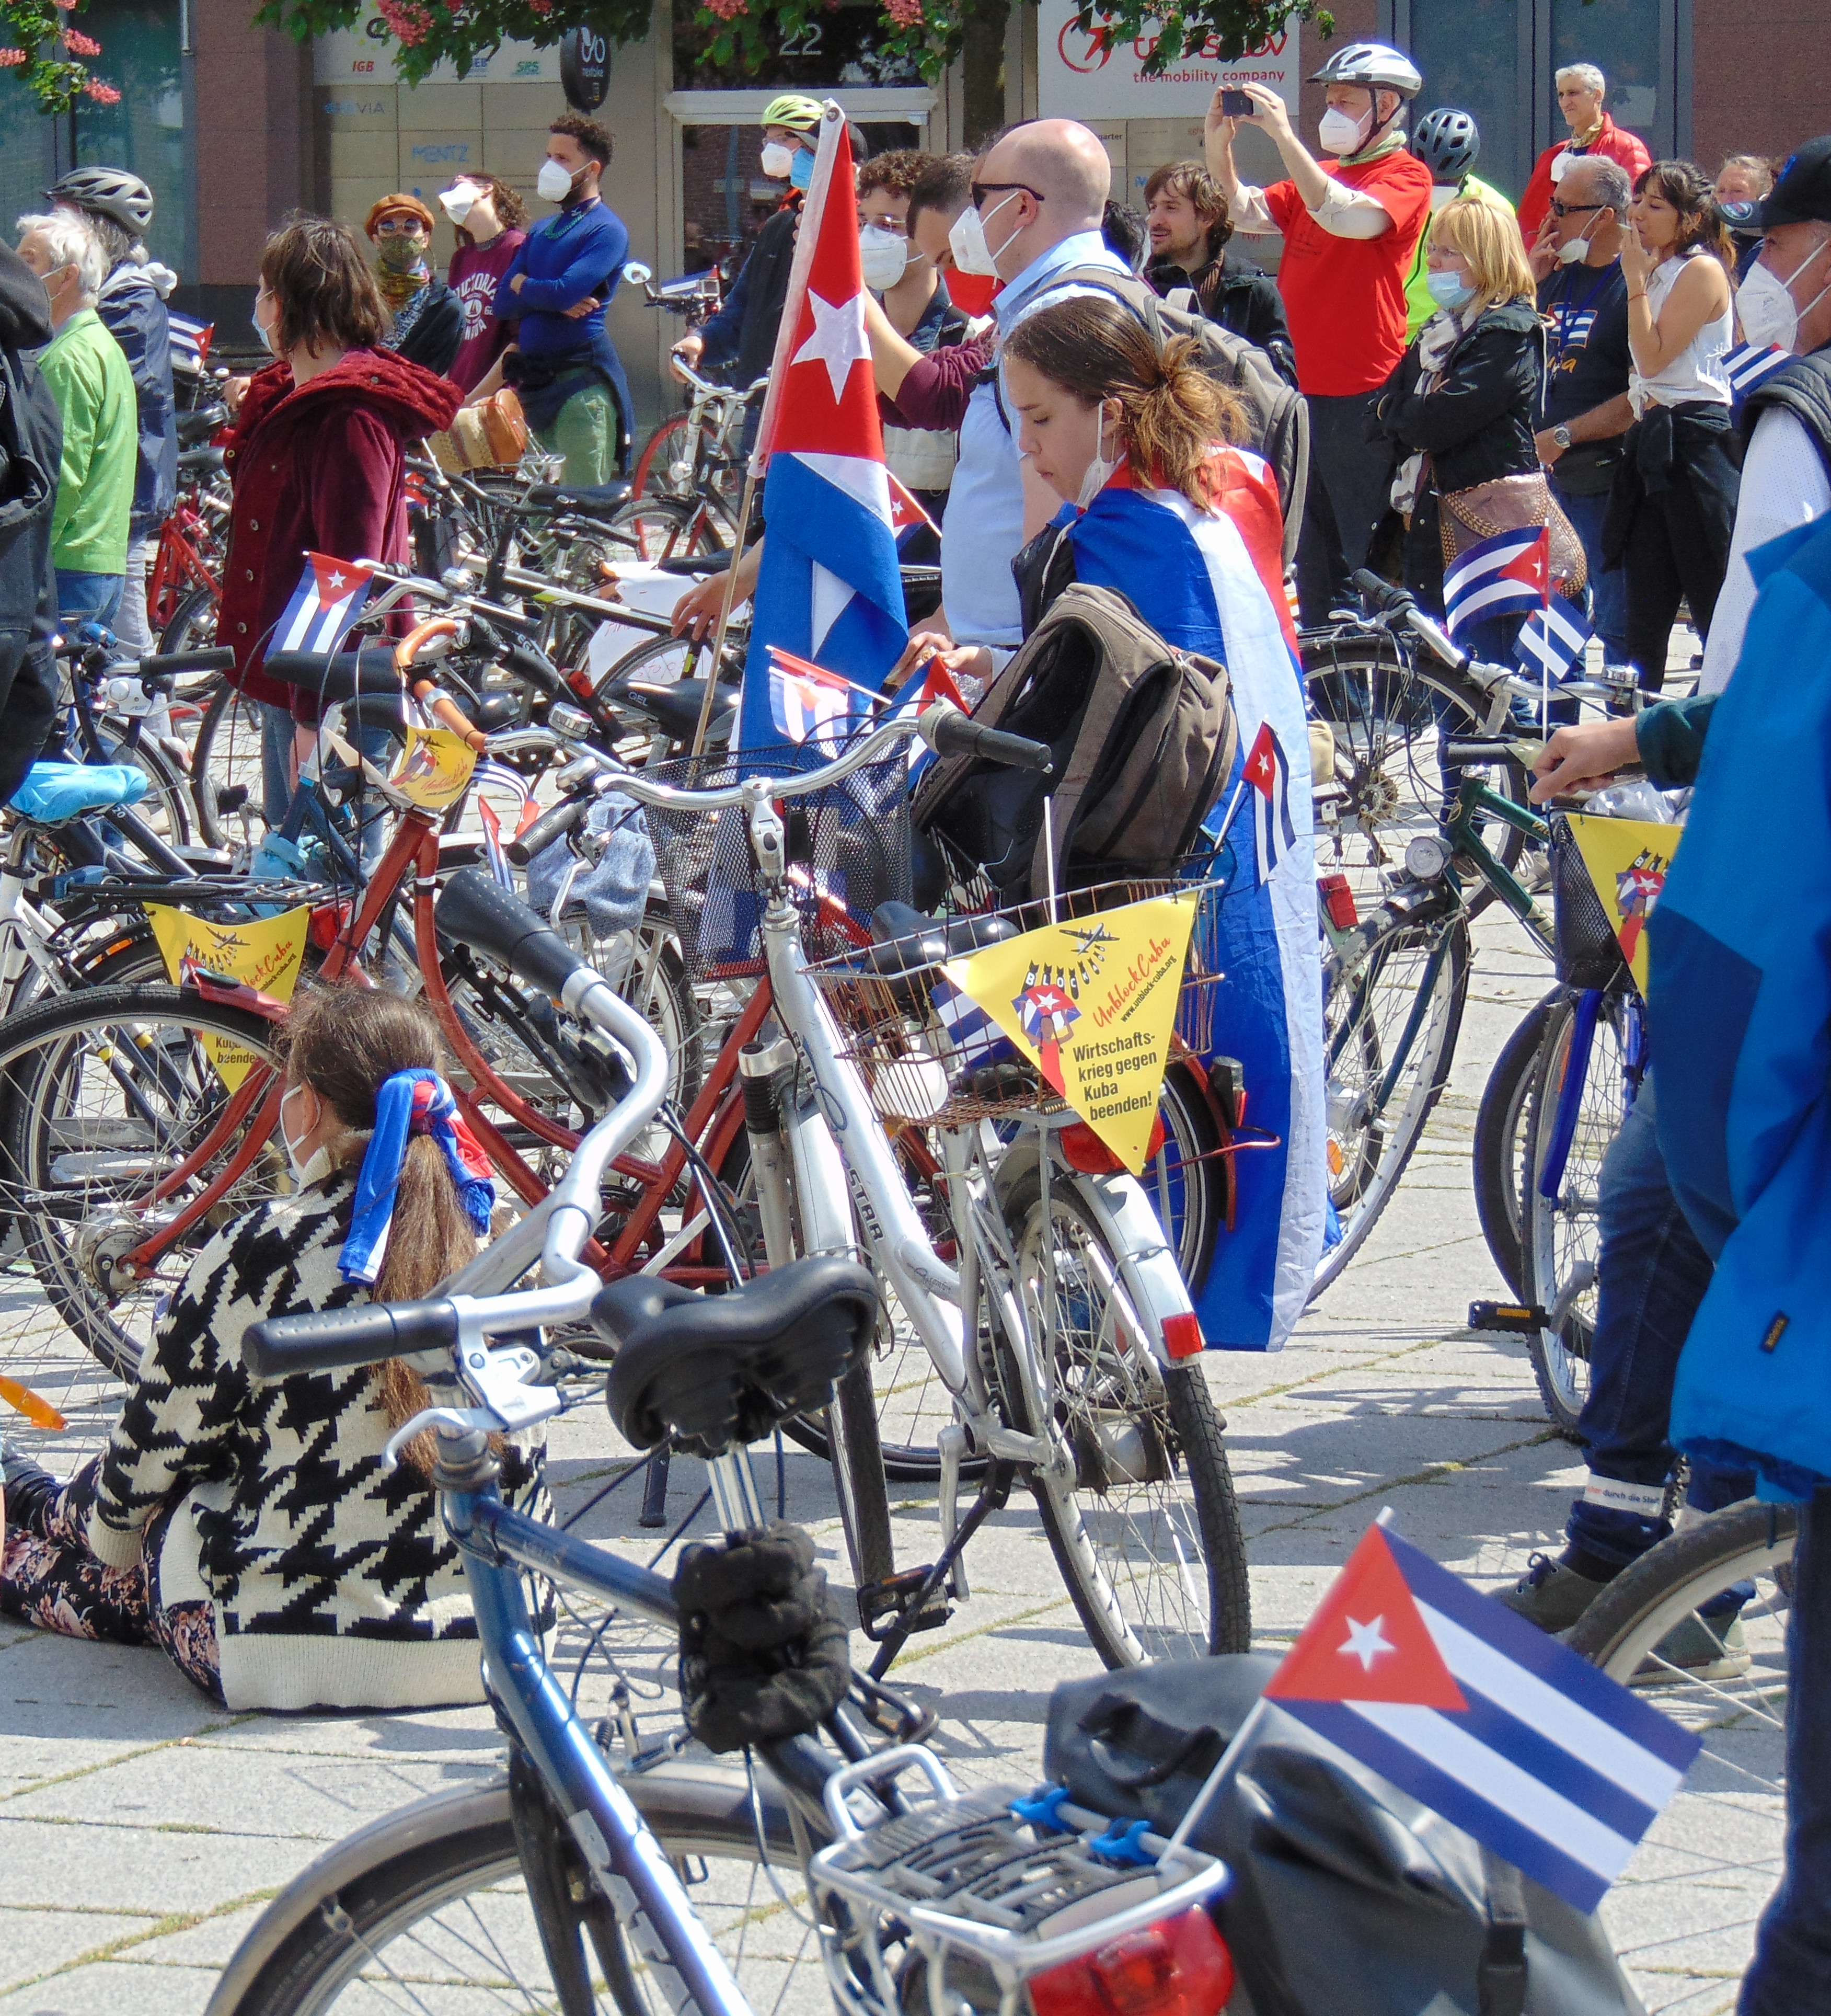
point(1651, 1279)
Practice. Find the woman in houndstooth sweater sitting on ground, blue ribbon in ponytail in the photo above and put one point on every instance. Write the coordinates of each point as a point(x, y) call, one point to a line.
point(249, 1527)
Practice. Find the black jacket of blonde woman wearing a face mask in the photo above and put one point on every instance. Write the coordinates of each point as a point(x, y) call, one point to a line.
point(1479, 420)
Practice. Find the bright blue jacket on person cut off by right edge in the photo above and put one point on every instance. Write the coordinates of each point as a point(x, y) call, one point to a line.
point(1741, 997)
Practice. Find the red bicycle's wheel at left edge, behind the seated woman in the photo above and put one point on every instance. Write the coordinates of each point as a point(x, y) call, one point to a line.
point(116, 1114)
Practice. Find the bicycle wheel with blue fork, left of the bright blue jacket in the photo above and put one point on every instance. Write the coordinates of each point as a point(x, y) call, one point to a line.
point(1562, 1237)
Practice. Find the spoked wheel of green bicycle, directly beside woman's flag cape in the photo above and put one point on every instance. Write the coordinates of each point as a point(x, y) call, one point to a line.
point(1390, 1025)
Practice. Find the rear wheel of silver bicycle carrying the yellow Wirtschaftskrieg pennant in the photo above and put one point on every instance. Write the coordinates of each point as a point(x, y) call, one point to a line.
point(1118, 1406)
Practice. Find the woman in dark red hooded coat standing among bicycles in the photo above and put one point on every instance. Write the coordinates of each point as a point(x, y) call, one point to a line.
point(318, 457)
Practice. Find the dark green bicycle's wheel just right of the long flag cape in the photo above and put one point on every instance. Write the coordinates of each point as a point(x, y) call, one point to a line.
point(1358, 1061)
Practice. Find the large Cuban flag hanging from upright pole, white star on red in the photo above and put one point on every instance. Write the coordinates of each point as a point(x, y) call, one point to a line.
point(830, 588)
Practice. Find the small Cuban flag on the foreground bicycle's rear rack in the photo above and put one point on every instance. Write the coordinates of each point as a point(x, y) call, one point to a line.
point(1483, 1719)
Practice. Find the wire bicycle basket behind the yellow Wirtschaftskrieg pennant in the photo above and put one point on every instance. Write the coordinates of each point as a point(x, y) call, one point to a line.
point(933, 1055)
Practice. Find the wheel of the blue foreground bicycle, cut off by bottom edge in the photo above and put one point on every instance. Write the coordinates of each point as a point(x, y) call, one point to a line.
point(414, 1878)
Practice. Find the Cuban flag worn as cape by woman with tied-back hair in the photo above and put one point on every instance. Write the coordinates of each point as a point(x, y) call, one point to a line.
point(1199, 580)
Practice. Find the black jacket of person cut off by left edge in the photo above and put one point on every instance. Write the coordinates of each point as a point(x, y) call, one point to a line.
point(31, 445)
